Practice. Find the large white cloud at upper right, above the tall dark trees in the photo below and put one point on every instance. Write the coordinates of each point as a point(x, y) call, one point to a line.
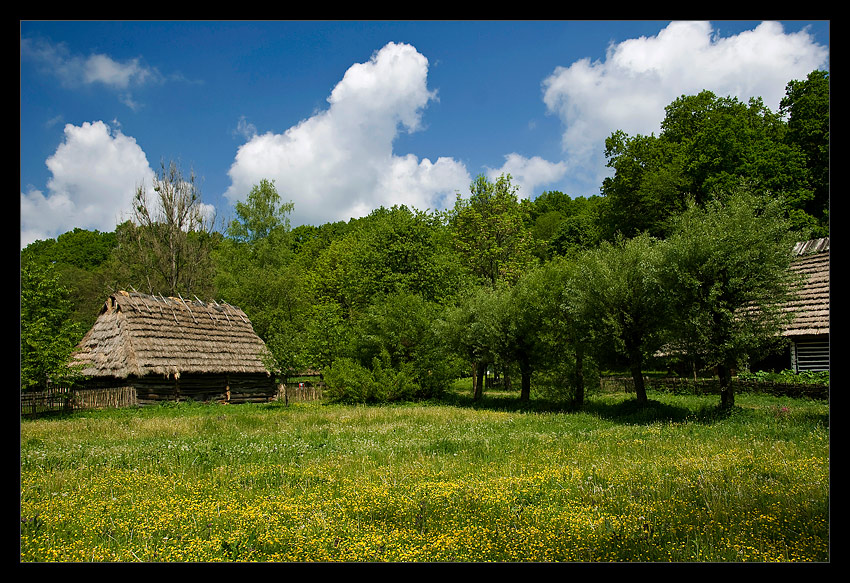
point(639, 77)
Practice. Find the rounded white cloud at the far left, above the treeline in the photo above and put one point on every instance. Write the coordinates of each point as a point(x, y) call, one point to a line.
point(95, 172)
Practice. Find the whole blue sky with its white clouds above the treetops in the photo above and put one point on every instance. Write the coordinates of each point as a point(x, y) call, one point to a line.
point(349, 116)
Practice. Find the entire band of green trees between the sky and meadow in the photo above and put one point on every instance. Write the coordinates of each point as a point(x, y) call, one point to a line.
point(694, 225)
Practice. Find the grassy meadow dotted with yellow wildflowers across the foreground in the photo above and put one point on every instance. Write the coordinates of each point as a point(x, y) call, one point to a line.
point(452, 481)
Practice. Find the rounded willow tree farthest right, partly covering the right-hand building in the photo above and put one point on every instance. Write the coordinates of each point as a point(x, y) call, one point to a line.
point(727, 276)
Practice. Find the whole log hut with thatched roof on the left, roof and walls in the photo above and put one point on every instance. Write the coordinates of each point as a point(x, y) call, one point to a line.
point(145, 349)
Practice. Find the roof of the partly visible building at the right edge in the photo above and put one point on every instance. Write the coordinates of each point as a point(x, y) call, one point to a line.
point(811, 307)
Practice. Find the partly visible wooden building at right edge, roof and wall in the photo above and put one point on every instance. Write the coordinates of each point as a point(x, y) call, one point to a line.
point(809, 331)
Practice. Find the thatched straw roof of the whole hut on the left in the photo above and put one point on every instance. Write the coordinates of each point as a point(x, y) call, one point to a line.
point(138, 334)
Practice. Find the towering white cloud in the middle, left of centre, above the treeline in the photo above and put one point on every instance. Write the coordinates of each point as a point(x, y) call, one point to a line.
point(340, 163)
